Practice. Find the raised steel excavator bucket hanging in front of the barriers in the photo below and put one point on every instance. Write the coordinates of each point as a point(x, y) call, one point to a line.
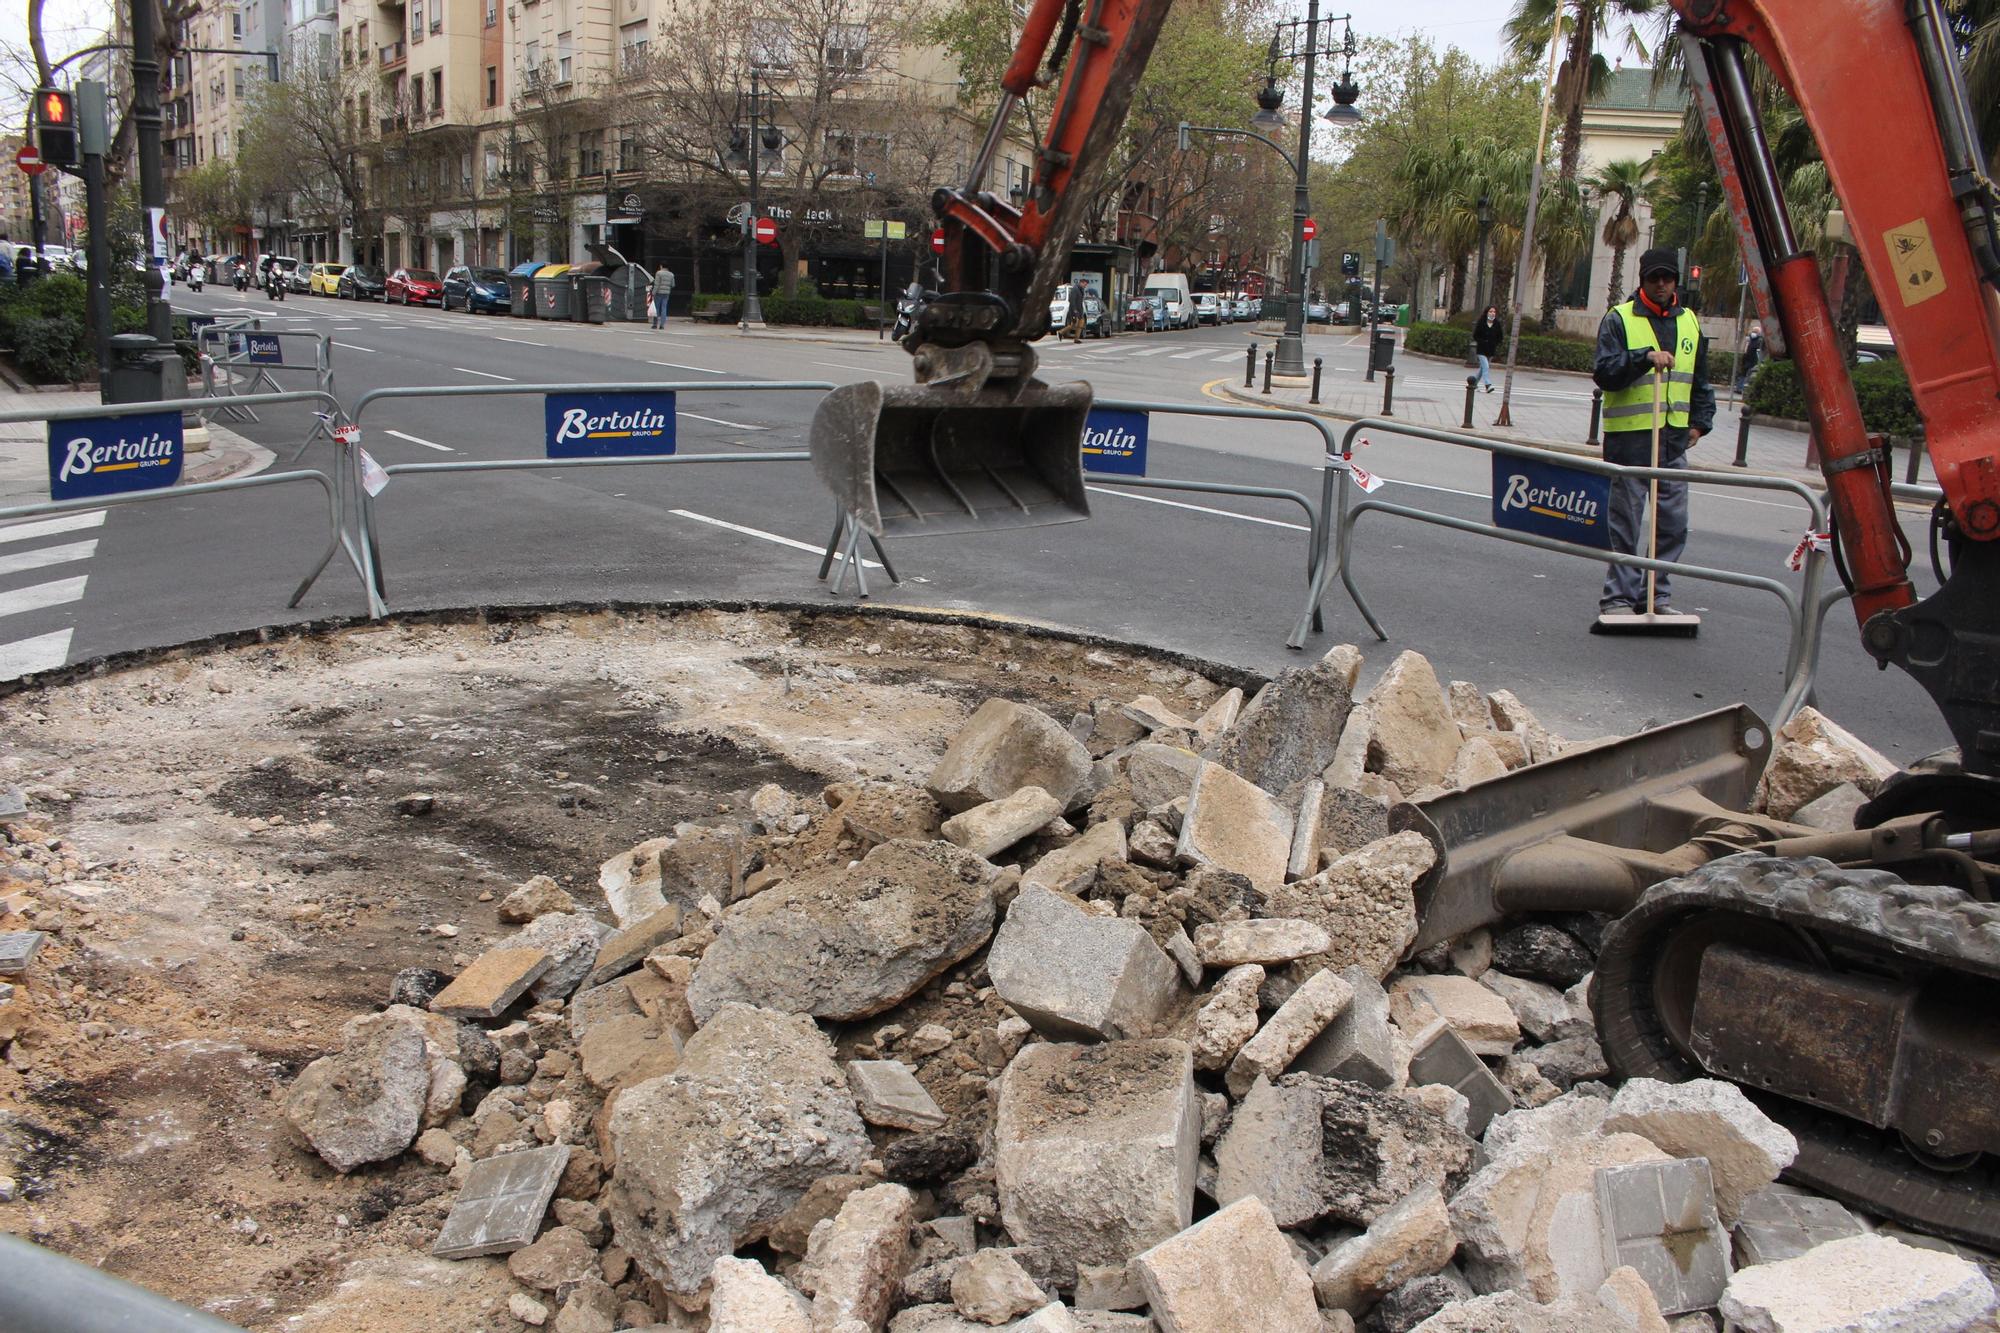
point(927, 459)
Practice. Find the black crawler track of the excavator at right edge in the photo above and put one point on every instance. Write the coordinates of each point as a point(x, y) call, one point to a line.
point(1823, 918)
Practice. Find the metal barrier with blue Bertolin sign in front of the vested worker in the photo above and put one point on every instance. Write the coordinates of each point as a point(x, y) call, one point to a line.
point(1805, 609)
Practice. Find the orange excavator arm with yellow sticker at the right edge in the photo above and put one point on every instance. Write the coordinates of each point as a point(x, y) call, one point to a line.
point(1877, 83)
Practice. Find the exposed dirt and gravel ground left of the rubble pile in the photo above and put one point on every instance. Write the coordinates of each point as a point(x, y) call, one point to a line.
point(235, 852)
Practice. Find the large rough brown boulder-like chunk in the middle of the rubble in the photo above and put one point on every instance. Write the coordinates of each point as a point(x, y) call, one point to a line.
point(853, 940)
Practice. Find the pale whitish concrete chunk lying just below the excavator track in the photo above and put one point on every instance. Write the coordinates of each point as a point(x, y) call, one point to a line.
point(1713, 1120)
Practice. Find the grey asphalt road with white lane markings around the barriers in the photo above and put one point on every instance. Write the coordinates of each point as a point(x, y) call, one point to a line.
point(1211, 575)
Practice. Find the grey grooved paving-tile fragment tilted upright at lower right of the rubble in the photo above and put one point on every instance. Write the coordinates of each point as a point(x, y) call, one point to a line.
point(1659, 1218)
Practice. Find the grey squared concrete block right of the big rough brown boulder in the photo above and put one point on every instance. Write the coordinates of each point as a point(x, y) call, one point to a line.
point(1075, 974)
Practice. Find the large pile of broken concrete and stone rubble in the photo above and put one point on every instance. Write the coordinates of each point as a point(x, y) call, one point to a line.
point(981, 1054)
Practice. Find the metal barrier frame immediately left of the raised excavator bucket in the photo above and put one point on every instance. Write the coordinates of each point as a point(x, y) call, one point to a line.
point(365, 505)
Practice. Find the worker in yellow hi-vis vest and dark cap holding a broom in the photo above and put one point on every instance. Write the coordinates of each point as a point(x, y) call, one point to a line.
point(1651, 331)
